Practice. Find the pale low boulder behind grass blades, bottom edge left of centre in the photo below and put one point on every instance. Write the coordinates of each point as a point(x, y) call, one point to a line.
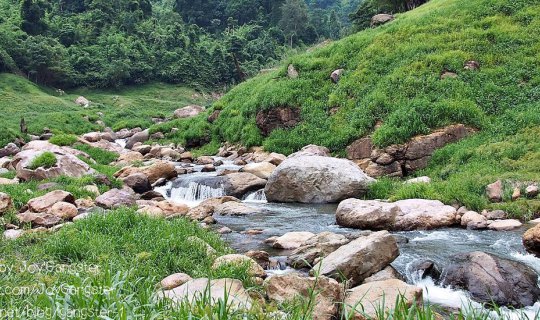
point(230, 290)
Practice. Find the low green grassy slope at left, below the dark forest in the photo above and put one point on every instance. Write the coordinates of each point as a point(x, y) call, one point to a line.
point(43, 107)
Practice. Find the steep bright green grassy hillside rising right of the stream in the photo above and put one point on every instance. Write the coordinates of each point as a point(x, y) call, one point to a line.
point(393, 76)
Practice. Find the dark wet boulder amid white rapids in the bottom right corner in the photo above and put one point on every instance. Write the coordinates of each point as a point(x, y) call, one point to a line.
point(491, 279)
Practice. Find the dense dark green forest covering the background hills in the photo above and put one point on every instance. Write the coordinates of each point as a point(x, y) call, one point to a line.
point(198, 43)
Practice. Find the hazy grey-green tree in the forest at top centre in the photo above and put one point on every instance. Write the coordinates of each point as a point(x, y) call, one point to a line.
point(294, 19)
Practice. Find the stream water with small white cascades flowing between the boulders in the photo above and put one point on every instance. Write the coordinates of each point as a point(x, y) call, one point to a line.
point(277, 218)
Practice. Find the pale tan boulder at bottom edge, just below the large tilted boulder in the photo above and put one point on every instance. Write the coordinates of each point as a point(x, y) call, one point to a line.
point(369, 300)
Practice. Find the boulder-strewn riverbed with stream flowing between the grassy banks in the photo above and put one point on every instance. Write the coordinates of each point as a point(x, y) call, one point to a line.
point(301, 215)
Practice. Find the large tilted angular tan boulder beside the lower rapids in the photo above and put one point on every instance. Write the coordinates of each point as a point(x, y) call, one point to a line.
point(360, 258)
